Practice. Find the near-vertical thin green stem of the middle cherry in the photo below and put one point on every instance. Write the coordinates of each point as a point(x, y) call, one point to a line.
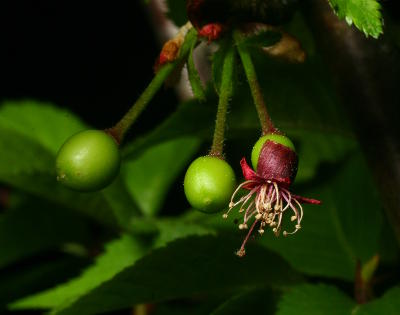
point(226, 91)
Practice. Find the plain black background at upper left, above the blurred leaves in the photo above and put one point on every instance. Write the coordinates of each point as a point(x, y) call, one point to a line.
point(95, 59)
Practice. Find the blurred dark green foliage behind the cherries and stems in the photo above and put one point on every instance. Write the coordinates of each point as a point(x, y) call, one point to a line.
point(137, 243)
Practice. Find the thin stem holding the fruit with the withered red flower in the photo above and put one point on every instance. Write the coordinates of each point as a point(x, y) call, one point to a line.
point(265, 120)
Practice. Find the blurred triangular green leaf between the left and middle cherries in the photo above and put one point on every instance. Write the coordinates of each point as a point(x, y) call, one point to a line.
point(148, 178)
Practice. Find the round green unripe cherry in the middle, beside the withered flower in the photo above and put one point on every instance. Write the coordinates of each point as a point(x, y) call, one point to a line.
point(209, 184)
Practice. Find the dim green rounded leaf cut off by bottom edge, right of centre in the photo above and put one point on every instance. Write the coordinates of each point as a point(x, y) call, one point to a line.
point(315, 300)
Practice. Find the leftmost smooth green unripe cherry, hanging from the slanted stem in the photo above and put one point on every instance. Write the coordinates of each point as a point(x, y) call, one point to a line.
point(88, 161)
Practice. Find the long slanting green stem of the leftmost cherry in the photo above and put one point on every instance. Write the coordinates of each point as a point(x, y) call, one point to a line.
point(120, 129)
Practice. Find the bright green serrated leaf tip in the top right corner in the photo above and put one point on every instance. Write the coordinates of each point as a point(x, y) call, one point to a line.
point(365, 14)
